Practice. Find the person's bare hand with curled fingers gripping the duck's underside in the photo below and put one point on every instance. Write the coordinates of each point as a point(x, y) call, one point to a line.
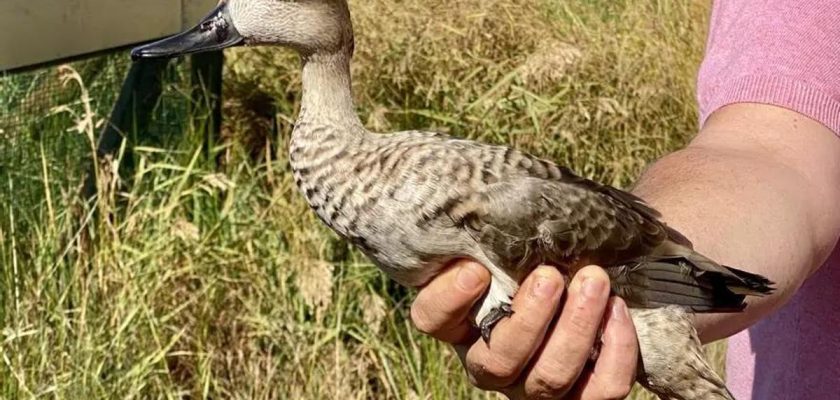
point(532, 354)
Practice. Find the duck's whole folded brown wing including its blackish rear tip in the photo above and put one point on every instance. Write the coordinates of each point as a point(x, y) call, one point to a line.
point(573, 222)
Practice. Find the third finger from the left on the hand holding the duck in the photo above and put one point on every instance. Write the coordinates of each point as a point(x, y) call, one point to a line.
point(569, 344)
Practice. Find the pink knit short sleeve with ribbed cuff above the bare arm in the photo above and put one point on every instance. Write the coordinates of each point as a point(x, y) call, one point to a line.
point(780, 52)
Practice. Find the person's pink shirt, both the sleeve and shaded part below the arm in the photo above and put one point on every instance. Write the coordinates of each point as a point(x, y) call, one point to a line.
point(786, 53)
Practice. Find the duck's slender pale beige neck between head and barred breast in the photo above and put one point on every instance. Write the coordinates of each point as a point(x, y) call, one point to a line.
point(327, 95)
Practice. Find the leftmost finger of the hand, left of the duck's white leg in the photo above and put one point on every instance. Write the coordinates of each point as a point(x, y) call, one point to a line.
point(442, 307)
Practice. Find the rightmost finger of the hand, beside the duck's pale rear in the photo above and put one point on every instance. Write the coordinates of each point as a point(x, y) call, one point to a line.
point(615, 370)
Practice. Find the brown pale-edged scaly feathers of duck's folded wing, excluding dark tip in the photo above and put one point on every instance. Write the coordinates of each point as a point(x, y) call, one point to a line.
point(527, 219)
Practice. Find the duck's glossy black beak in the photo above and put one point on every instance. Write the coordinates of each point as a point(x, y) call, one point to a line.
point(215, 32)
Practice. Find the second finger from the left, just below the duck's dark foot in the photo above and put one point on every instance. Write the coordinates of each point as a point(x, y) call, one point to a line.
point(514, 340)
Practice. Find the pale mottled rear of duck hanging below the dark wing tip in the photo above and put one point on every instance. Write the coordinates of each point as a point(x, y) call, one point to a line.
point(672, 363)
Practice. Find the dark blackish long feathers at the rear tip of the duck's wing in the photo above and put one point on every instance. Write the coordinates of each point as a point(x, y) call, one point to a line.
point(677, 281)
